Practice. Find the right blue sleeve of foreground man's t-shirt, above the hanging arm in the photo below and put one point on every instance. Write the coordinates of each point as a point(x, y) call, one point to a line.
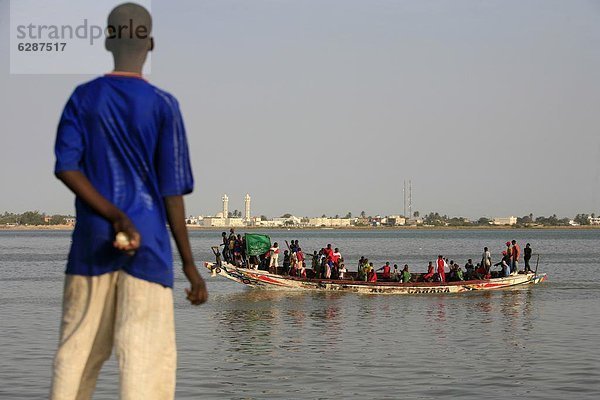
point(172, 154)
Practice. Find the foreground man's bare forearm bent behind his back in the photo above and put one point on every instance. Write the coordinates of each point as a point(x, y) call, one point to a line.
point(83, 188)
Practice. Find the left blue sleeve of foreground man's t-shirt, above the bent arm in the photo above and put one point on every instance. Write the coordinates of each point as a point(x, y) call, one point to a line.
point(69, 139)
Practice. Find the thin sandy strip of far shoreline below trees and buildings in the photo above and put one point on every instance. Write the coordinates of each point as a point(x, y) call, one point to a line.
point(345, 228)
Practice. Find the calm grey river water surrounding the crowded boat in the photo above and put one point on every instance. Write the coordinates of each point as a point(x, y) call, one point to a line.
point(540, 342)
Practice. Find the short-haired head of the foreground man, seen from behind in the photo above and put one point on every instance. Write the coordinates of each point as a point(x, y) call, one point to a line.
point(128, 31)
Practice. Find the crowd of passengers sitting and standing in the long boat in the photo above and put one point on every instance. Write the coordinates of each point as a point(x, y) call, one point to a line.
point(328, 263)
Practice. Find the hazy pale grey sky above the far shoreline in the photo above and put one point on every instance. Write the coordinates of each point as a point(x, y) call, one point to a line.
point(312, 107)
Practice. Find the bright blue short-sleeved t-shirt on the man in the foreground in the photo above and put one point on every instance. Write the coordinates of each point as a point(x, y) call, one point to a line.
point(127, 137)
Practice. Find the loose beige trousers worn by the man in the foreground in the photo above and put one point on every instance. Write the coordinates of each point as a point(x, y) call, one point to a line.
point(116, 310)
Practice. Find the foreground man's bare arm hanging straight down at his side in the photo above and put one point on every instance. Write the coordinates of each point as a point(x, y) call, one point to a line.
point(174, 205)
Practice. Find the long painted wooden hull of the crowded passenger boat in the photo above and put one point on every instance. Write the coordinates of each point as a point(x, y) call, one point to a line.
point(265, 280)
